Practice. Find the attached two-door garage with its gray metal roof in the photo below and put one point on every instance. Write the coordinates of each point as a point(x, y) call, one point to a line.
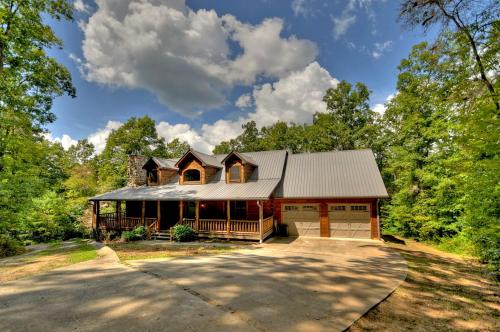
point(345, 187)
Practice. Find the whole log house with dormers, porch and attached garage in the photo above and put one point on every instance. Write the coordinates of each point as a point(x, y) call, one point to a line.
point(247, 195)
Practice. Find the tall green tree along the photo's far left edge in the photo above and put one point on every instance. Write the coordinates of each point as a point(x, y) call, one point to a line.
point(29, 81)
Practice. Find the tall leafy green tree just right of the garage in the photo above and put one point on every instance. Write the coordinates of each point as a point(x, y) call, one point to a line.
point(419, 132)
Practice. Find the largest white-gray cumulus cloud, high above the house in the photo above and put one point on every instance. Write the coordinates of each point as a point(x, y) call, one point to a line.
point(183, 56)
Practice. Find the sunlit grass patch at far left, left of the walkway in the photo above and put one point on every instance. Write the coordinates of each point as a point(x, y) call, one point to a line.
point(55, 256)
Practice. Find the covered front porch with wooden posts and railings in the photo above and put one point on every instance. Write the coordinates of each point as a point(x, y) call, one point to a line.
point(229, 219)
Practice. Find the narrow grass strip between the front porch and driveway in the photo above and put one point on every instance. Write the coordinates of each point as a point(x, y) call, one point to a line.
point(134, 251)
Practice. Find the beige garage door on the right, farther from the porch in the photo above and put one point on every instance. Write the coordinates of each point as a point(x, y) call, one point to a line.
point(349, 220)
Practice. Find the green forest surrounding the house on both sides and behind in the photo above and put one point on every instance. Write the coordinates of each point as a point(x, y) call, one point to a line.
point(436, 144)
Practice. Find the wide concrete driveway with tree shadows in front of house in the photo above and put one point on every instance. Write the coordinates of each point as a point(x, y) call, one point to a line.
point(283, 285)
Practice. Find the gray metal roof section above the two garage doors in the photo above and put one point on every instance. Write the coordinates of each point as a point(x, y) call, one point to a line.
point(336, 174)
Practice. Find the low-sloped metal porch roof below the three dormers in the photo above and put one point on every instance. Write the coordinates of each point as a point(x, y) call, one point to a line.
point(254, 190)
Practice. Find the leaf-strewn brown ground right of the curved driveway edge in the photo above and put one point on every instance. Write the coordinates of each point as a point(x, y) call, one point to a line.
point(442, 292)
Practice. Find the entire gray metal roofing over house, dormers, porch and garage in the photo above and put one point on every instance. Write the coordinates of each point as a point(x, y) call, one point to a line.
point(337, 174)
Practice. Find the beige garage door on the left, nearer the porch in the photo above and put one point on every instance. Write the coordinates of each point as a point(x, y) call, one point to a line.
point(302, 219)
